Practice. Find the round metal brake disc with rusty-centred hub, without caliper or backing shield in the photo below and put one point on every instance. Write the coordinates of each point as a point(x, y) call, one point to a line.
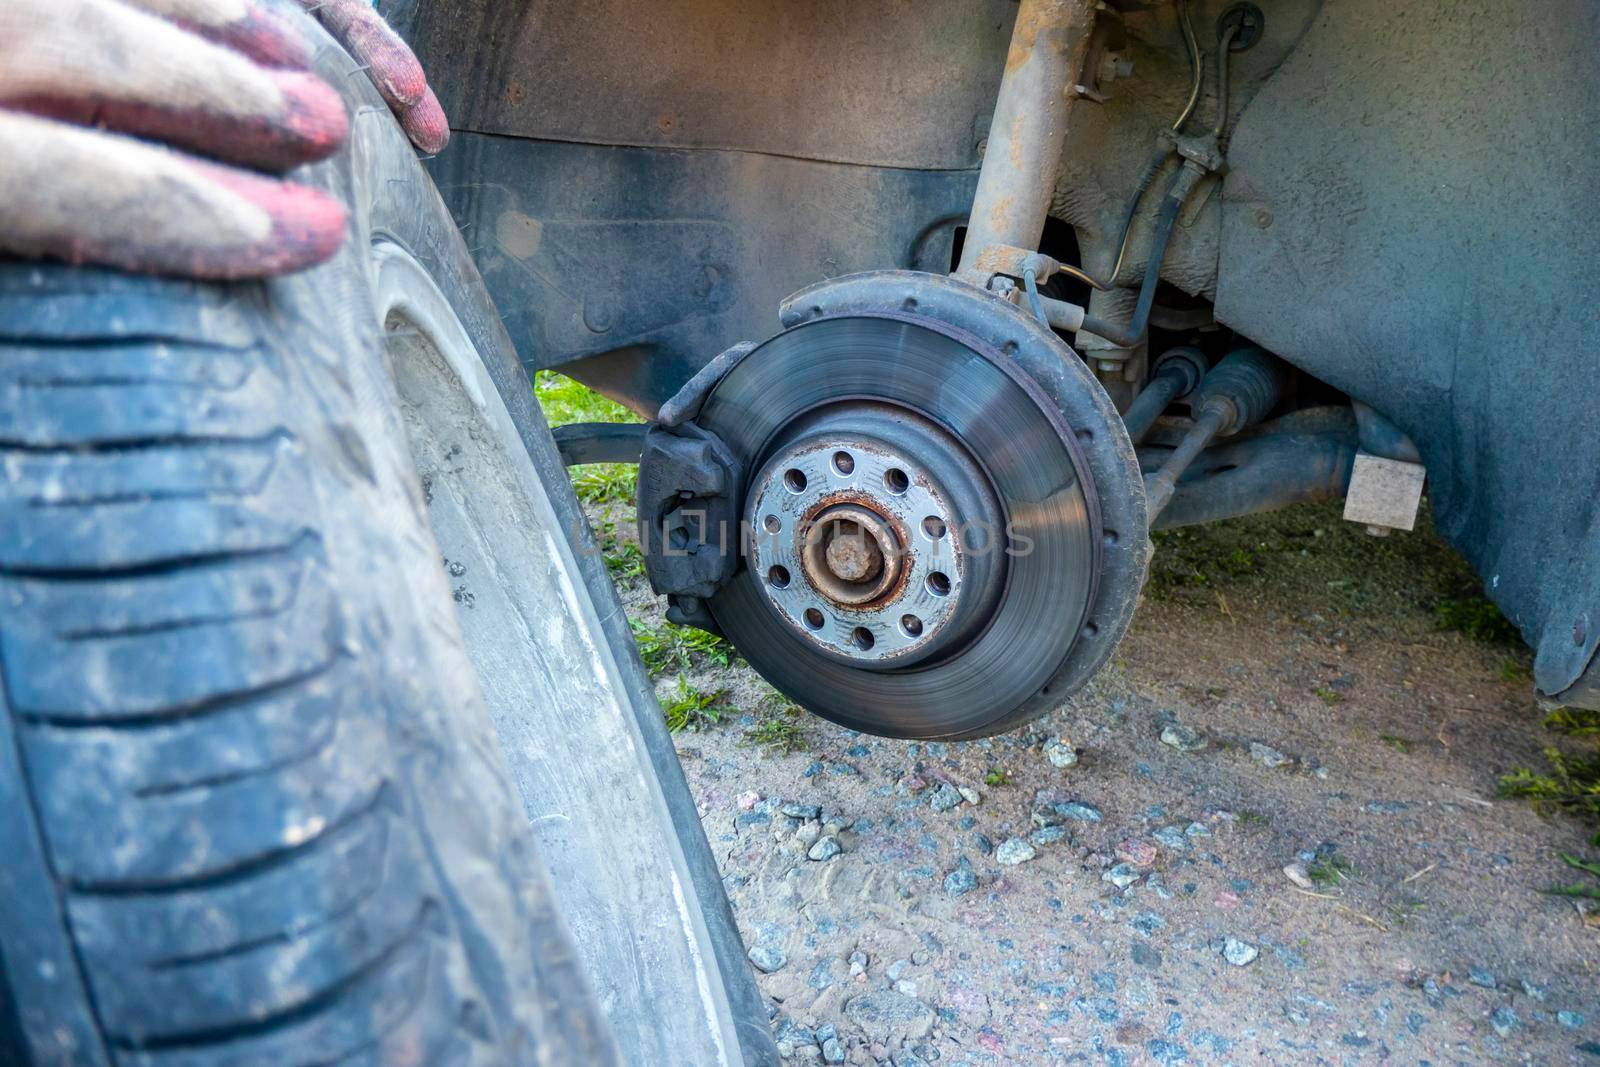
point(922, 533)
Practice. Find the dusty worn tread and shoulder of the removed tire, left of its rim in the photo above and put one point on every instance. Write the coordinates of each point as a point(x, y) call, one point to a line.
point(252, 805)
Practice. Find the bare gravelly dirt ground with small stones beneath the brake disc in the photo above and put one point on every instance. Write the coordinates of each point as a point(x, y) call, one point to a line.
point(1151, 917)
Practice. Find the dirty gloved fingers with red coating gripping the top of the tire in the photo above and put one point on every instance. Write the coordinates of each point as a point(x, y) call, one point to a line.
point(86, 86)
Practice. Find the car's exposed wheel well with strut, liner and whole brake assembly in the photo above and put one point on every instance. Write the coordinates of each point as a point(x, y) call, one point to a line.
point(1302, 250)
